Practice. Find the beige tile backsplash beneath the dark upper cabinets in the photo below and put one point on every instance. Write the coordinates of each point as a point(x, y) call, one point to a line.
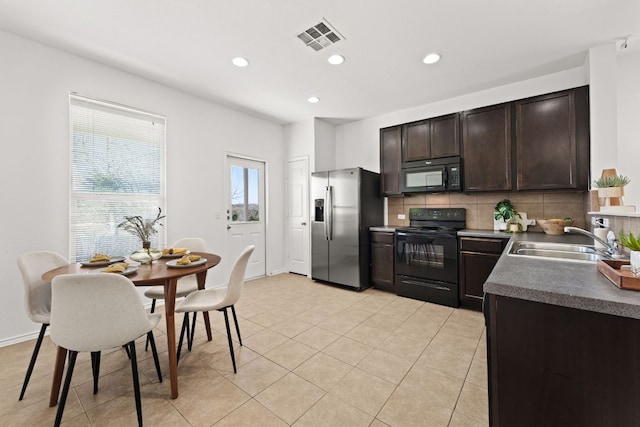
point(538, 205)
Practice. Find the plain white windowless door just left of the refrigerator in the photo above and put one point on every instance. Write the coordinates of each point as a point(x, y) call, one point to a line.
point(298, 216)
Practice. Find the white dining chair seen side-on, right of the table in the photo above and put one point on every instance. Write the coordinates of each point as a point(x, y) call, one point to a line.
point(219, 298)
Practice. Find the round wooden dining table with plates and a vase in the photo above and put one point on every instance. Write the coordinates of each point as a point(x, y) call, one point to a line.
point(157, 273)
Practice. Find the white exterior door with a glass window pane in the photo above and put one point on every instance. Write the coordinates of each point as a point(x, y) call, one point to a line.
point(246, 213)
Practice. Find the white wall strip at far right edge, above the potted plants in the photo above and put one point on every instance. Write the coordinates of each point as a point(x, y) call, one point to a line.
point(627, 125)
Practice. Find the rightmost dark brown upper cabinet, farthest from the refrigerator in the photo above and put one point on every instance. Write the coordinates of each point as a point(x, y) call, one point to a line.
point(552, 141)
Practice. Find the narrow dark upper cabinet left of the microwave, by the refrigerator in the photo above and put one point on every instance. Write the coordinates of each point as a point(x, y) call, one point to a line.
point(390, 160)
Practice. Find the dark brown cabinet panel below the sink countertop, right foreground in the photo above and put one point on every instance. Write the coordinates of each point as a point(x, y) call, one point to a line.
point(558, 366)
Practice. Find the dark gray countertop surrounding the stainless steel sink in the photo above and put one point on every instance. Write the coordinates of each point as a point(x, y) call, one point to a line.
point(564, 283)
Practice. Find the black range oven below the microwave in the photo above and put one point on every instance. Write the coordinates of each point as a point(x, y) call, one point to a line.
point(426, 255)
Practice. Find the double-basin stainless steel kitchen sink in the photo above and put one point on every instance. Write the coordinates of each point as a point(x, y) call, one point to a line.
point(557, 251)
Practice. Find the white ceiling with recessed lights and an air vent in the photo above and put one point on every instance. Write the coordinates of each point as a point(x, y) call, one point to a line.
point(188, 44)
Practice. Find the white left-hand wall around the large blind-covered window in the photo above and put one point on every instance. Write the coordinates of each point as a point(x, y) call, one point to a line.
point(35, 82)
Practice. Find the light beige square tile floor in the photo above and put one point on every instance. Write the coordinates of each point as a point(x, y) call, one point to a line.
point(313, 355)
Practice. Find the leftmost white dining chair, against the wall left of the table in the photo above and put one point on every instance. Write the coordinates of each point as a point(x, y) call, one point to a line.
point(37, 296)
